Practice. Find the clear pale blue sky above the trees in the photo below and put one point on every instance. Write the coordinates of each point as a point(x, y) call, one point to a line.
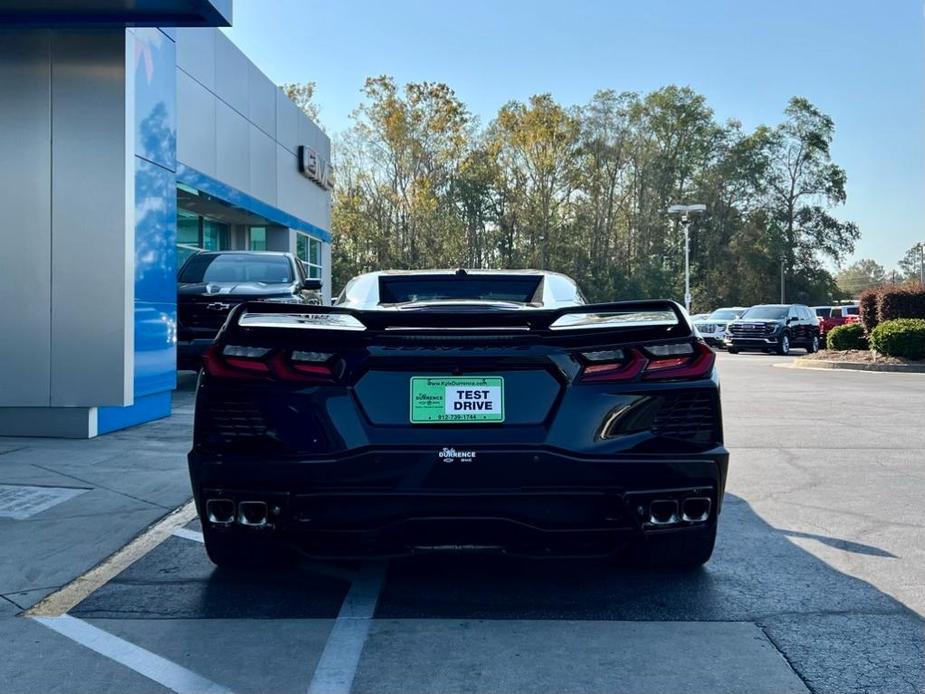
point(860, 61)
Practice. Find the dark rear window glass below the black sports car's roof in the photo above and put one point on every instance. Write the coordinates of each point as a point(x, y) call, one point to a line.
point(400, 289)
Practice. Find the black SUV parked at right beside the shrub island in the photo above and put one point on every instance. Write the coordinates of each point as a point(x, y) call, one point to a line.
point(774, 328)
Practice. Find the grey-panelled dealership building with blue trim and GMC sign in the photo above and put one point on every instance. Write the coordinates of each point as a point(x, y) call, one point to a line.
point(133, 133)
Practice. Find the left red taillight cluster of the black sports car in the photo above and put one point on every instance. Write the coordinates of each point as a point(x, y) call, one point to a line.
point(250, 363)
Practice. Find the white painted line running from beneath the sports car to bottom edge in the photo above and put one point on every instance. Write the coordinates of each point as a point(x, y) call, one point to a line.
point(341, 656)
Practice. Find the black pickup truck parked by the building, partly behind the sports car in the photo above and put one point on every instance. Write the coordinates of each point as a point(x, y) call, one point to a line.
point(211, 283)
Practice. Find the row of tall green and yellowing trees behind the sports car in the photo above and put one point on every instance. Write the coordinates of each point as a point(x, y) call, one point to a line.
point(584, 190)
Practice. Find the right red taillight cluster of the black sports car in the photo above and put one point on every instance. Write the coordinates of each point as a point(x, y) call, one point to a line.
point(653, 362)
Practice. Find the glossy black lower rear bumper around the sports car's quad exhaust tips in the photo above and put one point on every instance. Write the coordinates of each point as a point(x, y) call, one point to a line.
point(390, 503)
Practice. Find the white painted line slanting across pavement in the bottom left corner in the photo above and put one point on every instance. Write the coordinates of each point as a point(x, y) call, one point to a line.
point(166, 673)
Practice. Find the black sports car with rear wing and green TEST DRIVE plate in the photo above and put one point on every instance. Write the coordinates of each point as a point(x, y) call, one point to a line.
point(459, 410)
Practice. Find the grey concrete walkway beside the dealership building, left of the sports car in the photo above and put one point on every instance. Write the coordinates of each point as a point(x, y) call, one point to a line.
point(73, 503)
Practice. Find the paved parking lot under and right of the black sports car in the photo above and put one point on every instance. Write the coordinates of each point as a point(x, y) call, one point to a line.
point(817, 584)
